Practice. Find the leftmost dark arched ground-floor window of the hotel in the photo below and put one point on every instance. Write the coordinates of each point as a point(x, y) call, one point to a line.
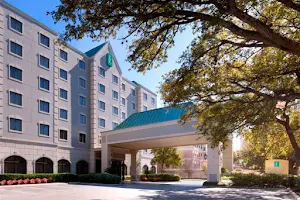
point(15, 164)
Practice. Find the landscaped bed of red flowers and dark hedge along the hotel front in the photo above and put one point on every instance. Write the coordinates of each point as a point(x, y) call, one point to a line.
point(17, 179)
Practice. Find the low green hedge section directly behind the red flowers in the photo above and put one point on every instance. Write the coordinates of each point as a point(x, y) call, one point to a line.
point(54, 177)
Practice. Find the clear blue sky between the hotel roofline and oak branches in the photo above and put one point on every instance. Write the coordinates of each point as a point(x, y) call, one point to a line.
point(151, 79)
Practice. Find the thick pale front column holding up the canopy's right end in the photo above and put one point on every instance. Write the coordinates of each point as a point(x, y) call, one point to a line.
point(214, 164)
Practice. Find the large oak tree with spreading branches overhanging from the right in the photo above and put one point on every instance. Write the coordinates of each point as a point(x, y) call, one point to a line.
point(241, 70)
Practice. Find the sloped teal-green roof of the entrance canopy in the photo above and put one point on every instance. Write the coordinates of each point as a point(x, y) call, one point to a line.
point(153, 116)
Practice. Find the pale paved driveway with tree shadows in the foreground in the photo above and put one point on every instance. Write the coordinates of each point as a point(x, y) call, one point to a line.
point(148, 191)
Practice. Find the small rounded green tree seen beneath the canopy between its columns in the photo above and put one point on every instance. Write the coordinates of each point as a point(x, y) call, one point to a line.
point(166, 157)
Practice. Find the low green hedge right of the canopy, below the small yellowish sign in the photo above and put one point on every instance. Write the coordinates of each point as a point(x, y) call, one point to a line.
point(265, 180)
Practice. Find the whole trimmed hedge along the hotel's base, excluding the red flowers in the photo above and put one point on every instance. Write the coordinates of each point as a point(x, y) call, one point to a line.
point(86, 178)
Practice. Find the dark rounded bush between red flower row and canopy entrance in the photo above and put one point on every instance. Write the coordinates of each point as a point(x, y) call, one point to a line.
point(99, 178)
